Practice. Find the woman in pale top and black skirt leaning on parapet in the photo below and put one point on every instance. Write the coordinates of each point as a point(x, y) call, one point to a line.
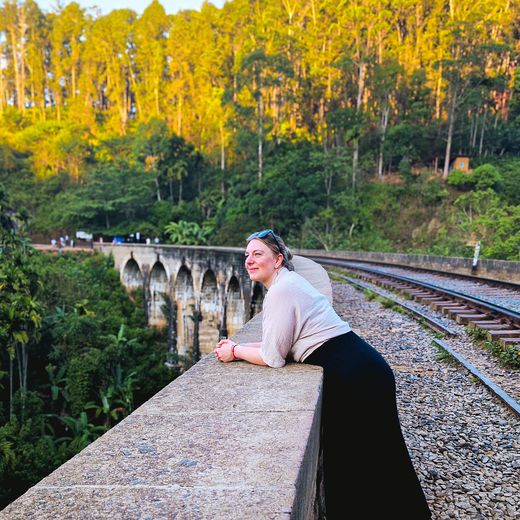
point(368, 473)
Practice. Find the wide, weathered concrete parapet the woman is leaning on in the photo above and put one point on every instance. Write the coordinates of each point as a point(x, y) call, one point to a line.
point(223, 441)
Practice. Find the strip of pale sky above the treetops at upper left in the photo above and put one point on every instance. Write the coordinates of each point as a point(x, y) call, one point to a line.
point(170, 6)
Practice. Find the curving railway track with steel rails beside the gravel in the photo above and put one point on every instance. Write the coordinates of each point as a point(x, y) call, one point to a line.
point(495, 314)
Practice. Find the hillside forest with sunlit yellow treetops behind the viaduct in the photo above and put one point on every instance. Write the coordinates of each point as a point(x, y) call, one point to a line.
point(334, 122)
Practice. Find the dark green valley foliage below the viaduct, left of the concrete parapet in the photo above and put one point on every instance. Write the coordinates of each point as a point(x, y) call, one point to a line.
point(93, 360)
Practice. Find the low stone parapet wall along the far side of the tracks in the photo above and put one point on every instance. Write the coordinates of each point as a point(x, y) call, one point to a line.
point(492, 269)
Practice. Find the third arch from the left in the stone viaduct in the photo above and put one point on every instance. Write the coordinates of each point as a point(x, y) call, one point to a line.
point(185, 300)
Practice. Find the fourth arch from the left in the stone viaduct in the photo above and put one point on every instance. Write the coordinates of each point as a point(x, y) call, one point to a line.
point(209, 307)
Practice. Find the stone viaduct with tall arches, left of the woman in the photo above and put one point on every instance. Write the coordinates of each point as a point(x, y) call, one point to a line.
point(200, 293)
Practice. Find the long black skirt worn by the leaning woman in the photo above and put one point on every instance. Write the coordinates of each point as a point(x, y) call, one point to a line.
point(368, 473)
